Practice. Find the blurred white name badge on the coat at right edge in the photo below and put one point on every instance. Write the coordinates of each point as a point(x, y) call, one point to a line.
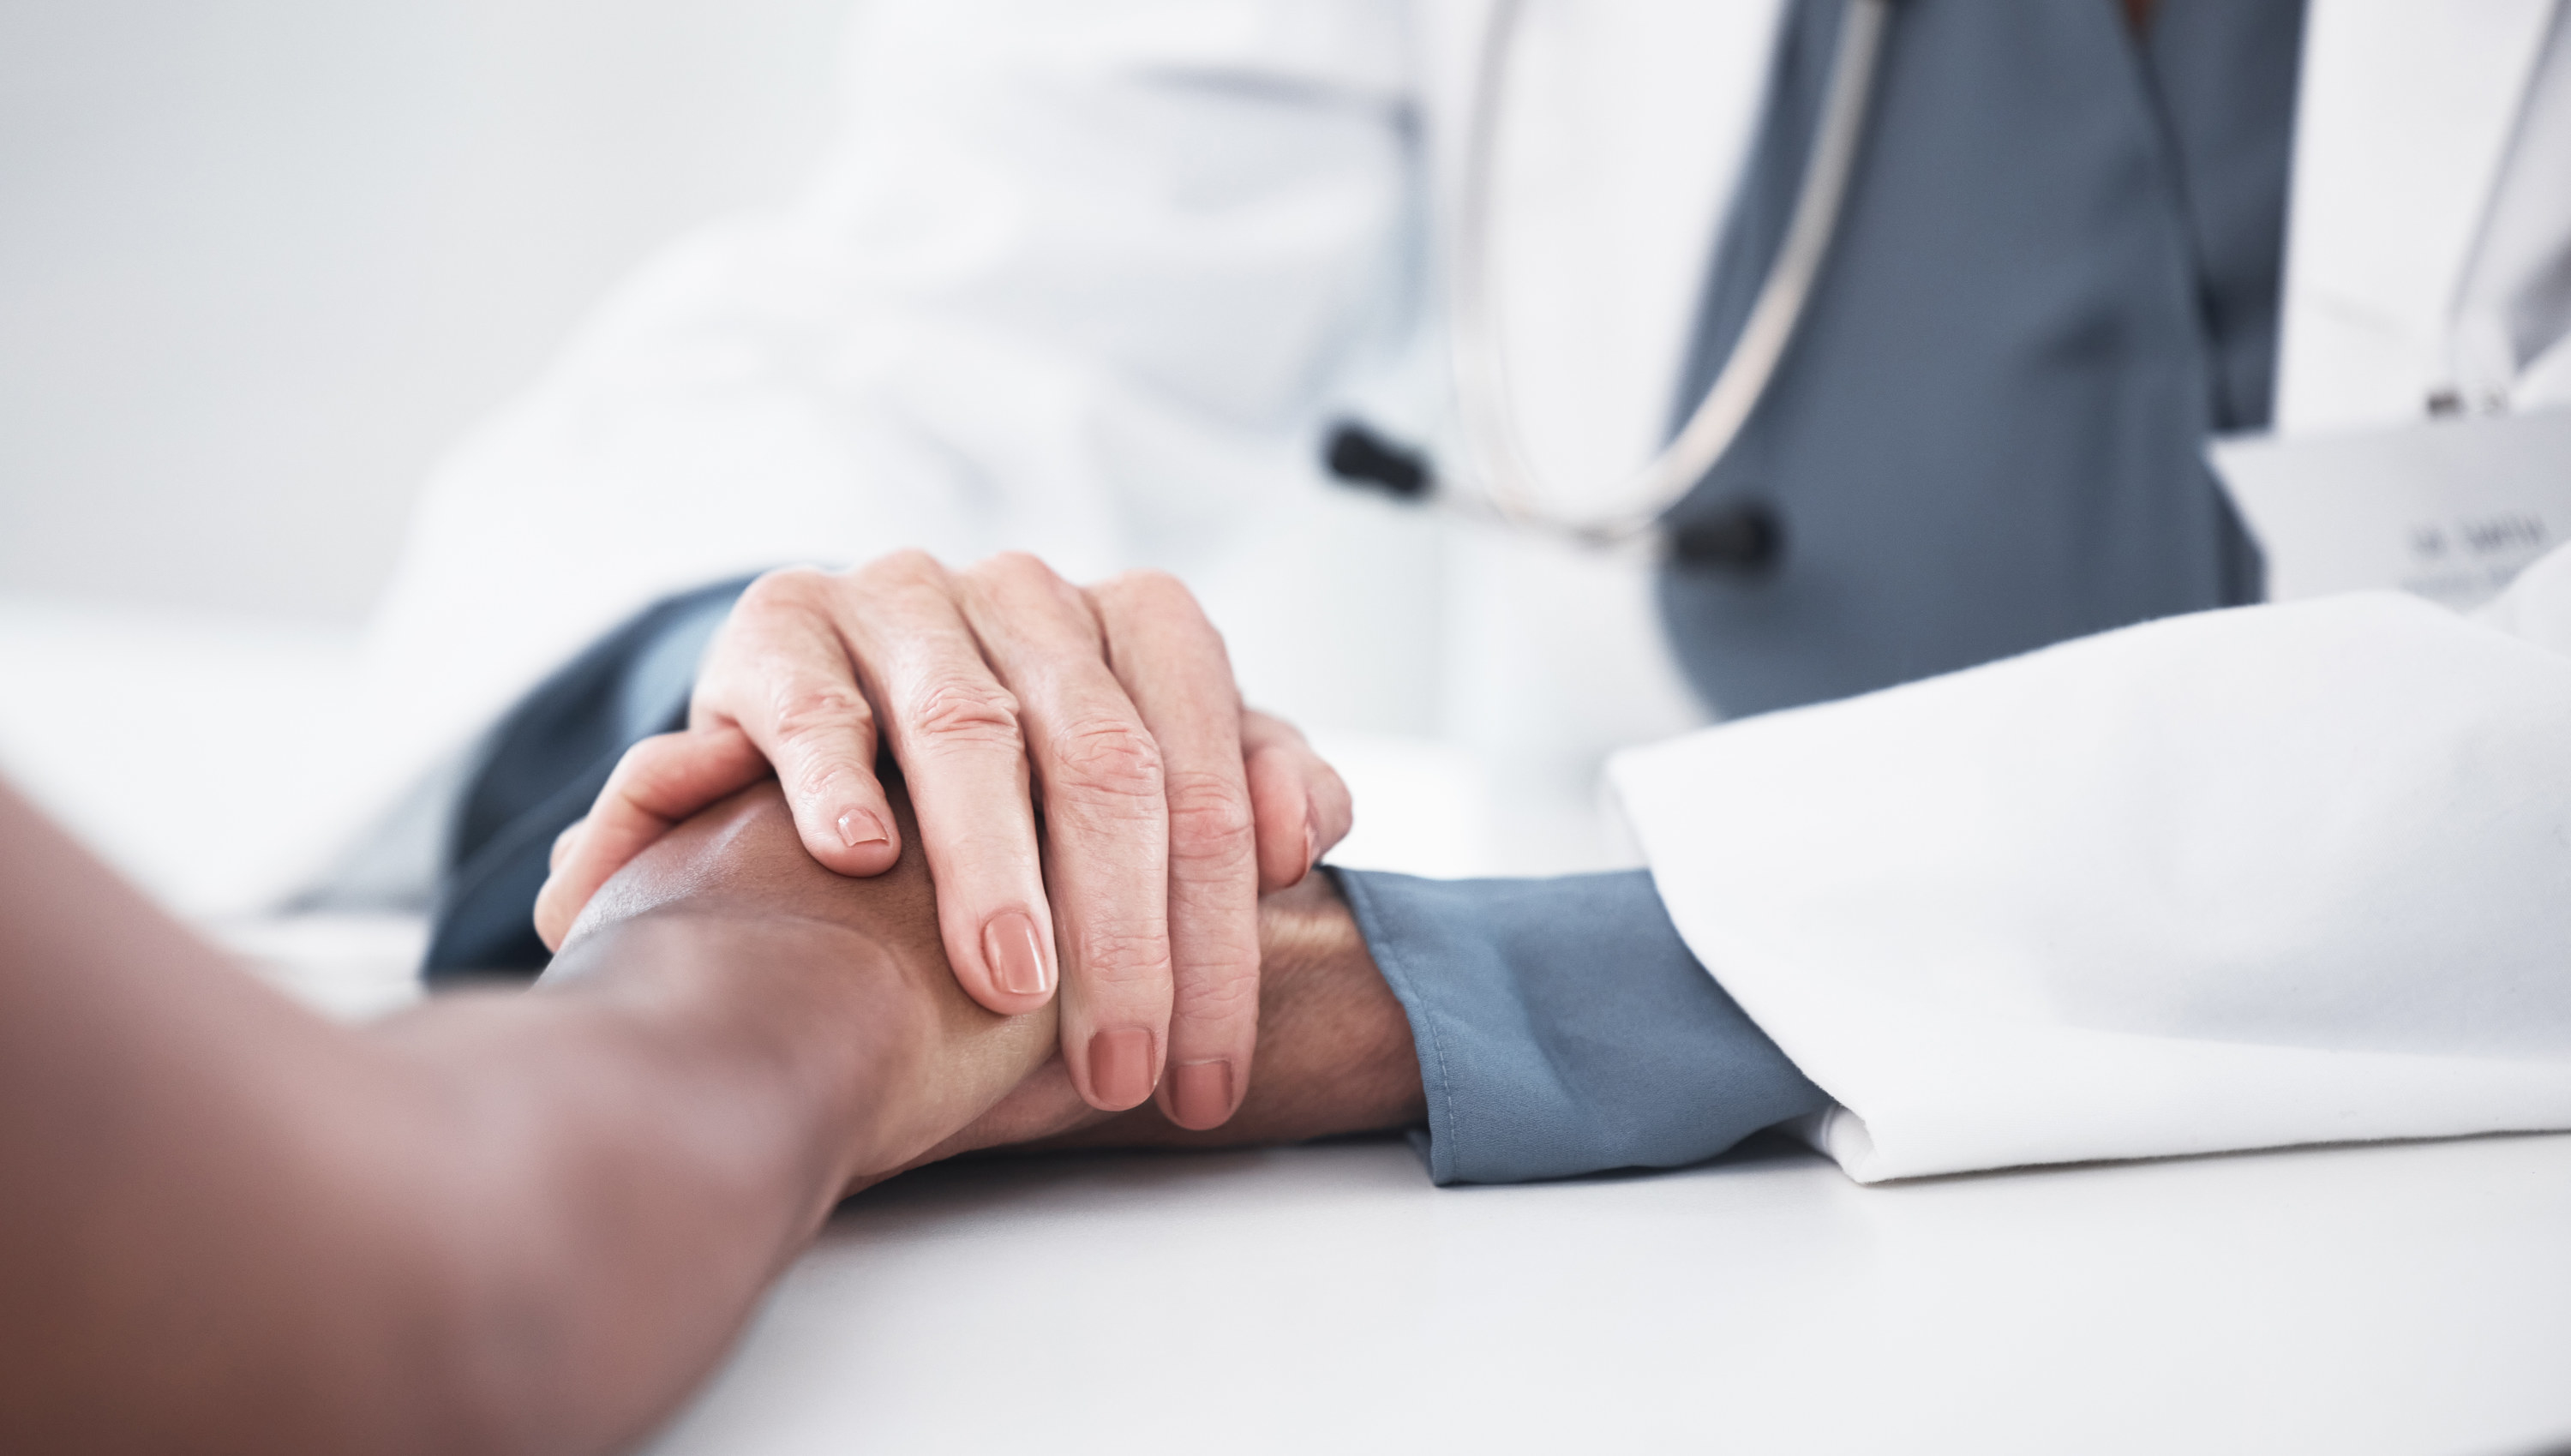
point(2449, 511)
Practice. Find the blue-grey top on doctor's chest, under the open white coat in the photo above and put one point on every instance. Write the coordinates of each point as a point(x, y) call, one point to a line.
point(2056, 279)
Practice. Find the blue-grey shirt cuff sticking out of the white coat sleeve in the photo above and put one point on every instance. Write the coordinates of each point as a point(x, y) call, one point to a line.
point(1564, 1028)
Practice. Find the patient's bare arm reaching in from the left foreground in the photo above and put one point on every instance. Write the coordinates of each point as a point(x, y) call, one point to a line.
point(490, 1226)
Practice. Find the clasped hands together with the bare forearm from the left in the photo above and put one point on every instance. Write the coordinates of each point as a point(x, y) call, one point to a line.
point(531, 1221)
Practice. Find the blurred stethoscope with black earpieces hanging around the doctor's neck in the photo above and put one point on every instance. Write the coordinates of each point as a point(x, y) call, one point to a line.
point(1510, 490)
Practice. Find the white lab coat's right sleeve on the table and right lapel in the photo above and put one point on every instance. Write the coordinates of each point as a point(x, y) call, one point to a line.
point(2228, 881)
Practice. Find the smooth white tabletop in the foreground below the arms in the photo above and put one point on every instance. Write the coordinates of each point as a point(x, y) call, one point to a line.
point(2349, 1300)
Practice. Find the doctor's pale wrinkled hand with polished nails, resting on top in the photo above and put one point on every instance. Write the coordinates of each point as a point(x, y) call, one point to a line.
point(1007, 691)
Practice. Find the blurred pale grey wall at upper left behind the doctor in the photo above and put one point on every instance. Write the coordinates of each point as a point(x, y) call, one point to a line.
point(261, 261)
